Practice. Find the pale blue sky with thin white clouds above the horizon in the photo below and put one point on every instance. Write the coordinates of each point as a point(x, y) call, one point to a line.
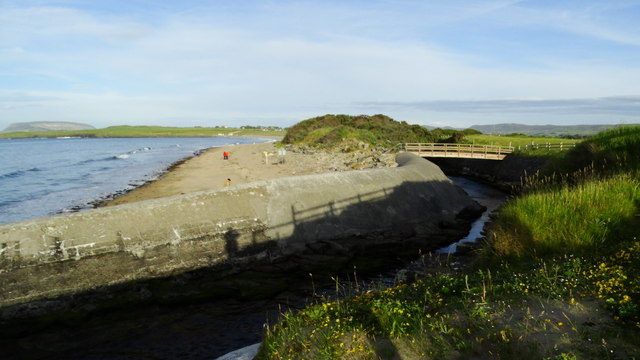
point(277, 62)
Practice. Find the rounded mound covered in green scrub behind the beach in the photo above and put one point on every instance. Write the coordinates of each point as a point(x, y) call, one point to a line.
point(339, 130)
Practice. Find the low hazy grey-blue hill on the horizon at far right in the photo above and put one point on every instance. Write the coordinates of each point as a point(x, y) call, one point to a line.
point(542, 130)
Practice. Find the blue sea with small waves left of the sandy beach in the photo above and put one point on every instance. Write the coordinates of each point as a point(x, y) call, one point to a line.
point(42, 177)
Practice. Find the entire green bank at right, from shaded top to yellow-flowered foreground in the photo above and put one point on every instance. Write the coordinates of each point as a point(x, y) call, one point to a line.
point(557, 277)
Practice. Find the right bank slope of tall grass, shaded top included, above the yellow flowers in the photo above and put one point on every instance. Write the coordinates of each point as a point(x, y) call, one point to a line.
point(588, 198)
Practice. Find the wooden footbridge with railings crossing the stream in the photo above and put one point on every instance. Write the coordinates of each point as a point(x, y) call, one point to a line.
point(467, 151)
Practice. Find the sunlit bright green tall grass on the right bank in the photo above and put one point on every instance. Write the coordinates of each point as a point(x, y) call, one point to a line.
point(581, 218)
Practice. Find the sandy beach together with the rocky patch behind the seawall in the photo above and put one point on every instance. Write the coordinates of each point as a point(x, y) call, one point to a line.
point(246, 163)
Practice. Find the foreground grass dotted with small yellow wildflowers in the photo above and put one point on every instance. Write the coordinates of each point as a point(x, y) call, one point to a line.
point(579, 307)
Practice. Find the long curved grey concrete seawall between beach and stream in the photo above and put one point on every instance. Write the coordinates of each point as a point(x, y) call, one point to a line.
point(50, 258)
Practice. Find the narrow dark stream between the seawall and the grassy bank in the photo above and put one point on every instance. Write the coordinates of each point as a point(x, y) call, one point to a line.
point(204, 330)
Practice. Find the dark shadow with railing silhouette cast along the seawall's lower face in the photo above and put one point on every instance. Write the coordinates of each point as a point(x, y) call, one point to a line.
point(372, 230)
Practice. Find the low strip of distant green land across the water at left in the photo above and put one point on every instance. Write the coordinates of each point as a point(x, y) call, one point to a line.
point(148, 131)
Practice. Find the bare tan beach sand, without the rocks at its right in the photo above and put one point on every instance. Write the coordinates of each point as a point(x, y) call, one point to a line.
point(209, 171)
